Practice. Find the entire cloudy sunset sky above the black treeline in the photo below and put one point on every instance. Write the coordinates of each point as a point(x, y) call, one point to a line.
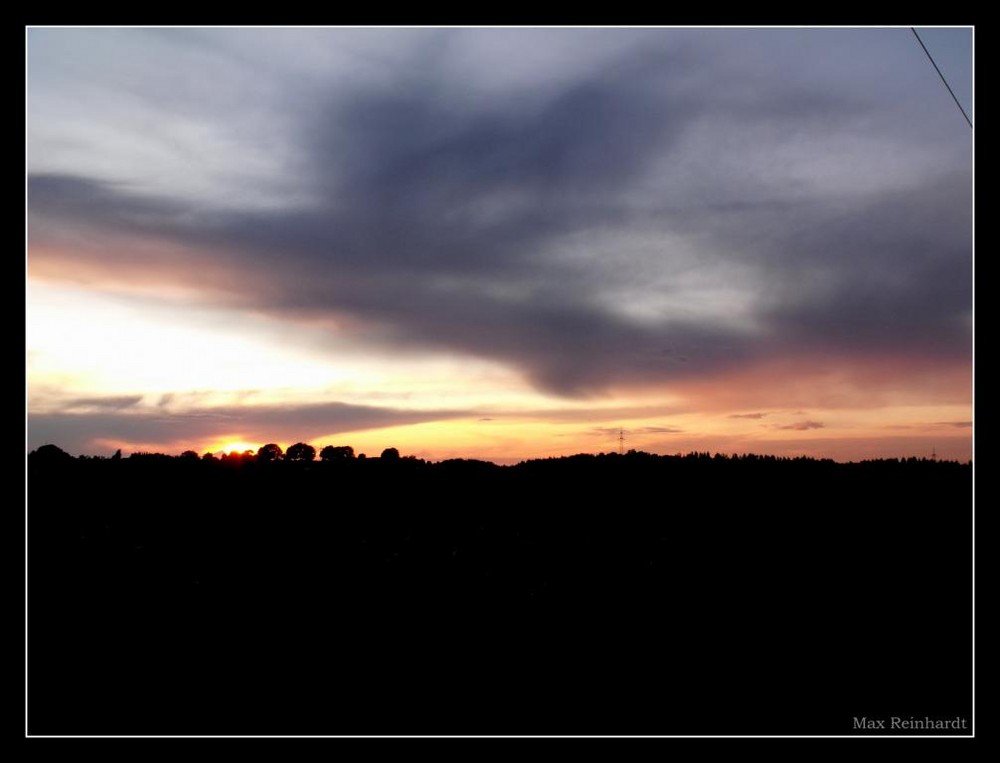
point(500, 243)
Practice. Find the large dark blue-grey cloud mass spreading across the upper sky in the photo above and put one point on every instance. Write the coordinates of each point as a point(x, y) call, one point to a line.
point(677, 210)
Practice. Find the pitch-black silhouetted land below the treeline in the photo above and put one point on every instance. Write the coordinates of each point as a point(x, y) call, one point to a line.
point(593, 595)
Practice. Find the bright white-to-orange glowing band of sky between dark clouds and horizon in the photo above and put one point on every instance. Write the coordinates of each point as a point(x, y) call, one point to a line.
point(127, 366)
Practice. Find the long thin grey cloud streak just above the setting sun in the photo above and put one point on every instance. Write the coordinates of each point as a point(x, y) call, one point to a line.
point(76, 432)
